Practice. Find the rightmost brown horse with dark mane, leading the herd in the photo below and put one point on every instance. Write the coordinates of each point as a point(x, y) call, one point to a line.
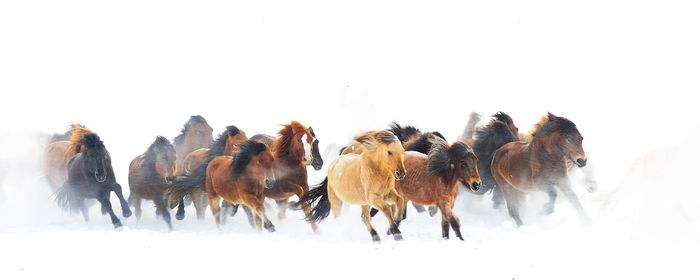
point(540, 165)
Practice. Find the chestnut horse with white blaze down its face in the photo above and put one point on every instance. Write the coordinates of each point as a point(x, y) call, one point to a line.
point(294, 148)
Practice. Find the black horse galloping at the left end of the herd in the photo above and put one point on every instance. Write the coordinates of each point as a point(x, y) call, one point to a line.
point(90, 175)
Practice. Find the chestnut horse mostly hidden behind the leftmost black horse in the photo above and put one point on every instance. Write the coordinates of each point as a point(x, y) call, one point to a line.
point(58, 153)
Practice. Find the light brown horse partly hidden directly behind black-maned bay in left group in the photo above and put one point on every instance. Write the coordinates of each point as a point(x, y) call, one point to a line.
point(225, 144)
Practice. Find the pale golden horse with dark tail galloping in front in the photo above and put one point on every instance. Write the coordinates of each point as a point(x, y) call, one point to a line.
point(367, 179)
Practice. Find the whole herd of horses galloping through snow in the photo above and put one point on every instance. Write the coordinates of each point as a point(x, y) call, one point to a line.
point(380, 170)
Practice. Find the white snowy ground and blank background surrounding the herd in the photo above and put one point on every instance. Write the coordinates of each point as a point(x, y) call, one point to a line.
point(624, 71)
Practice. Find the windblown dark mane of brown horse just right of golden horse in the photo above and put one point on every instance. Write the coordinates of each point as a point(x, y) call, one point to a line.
point(441, 158)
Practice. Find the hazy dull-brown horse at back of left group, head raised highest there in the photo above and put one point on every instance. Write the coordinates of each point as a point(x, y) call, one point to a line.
point(195, 134)
